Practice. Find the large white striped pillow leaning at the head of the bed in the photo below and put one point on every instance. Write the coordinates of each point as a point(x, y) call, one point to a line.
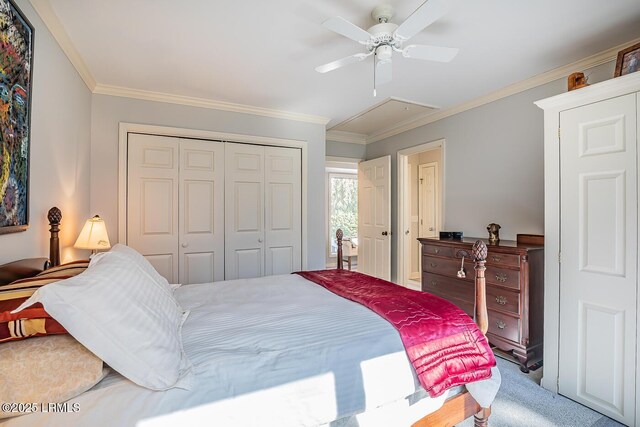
point(123, 317)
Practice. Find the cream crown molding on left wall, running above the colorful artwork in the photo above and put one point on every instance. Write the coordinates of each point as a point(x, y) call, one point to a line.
point(51, 21)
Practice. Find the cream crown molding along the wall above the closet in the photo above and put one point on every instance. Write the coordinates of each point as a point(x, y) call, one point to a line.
point(146, 95)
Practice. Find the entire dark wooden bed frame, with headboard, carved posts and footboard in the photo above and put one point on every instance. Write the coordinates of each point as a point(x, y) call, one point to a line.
point(455, 409)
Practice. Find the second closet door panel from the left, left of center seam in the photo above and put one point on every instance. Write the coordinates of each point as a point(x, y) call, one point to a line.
point(201, 211)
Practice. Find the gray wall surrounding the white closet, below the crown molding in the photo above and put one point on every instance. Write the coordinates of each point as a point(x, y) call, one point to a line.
point(109, 111)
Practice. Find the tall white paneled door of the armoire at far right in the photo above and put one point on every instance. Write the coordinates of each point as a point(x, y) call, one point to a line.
point(598, 269)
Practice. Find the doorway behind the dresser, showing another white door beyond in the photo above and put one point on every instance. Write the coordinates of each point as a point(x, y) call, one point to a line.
point(420, 206)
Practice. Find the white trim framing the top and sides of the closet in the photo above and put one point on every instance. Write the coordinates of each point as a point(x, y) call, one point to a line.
point(126, 128)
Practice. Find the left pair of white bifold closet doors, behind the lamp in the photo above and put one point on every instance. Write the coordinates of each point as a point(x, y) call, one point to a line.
point(175, 214)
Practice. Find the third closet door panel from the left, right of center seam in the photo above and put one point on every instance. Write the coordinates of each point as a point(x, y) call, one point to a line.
point(244, 211)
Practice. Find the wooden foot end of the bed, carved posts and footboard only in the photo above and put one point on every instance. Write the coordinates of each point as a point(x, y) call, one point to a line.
point(461, 406)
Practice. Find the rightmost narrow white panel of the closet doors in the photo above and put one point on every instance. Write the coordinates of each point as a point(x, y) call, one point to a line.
point(283, 210)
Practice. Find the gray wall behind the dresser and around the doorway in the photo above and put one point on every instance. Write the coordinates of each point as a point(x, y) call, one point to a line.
point(494, 167)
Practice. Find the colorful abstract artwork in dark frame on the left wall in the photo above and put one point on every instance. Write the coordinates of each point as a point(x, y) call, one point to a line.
point(16, 58)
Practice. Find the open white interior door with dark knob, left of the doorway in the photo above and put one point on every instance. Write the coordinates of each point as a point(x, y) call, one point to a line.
point(374, 217)
